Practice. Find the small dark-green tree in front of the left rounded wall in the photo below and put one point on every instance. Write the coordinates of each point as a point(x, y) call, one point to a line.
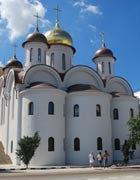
point(27, 148)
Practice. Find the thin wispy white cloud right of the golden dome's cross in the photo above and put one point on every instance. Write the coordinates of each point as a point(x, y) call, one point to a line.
point(87, 7)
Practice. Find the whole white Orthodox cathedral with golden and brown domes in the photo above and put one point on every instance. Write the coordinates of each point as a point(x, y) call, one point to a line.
point(75, 109)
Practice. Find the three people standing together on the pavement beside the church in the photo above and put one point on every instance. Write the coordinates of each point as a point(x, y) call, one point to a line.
point(101, 159)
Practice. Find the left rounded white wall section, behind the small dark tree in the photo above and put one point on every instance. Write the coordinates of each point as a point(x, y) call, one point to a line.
point(46, 125)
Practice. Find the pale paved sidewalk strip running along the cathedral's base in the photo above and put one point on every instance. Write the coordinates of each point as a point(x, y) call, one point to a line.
point(63, 169)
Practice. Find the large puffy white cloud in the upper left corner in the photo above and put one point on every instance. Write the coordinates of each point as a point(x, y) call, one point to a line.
point(18, 15)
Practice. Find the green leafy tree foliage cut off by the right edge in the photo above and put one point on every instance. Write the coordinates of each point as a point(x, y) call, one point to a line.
point(134, 130)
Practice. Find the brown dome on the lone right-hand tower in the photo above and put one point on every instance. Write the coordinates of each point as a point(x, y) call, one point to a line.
point(103, 52)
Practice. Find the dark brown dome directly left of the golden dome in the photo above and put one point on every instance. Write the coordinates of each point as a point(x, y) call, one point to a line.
point(35, 37)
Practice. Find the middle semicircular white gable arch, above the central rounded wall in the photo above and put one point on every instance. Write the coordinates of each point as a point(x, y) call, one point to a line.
point(83, 75)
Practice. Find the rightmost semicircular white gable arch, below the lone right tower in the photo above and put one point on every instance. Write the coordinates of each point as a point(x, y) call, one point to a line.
point(117, 84)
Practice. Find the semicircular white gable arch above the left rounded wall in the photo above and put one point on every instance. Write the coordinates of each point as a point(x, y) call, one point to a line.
point(42, 73)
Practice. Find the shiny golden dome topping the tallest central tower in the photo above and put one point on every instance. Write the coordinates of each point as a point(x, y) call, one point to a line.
point(58, 36)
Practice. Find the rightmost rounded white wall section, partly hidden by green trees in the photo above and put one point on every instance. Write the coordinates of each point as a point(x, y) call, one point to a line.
point(119, 127)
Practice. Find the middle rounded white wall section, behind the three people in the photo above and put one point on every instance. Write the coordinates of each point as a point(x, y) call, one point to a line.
point(87, 127)
